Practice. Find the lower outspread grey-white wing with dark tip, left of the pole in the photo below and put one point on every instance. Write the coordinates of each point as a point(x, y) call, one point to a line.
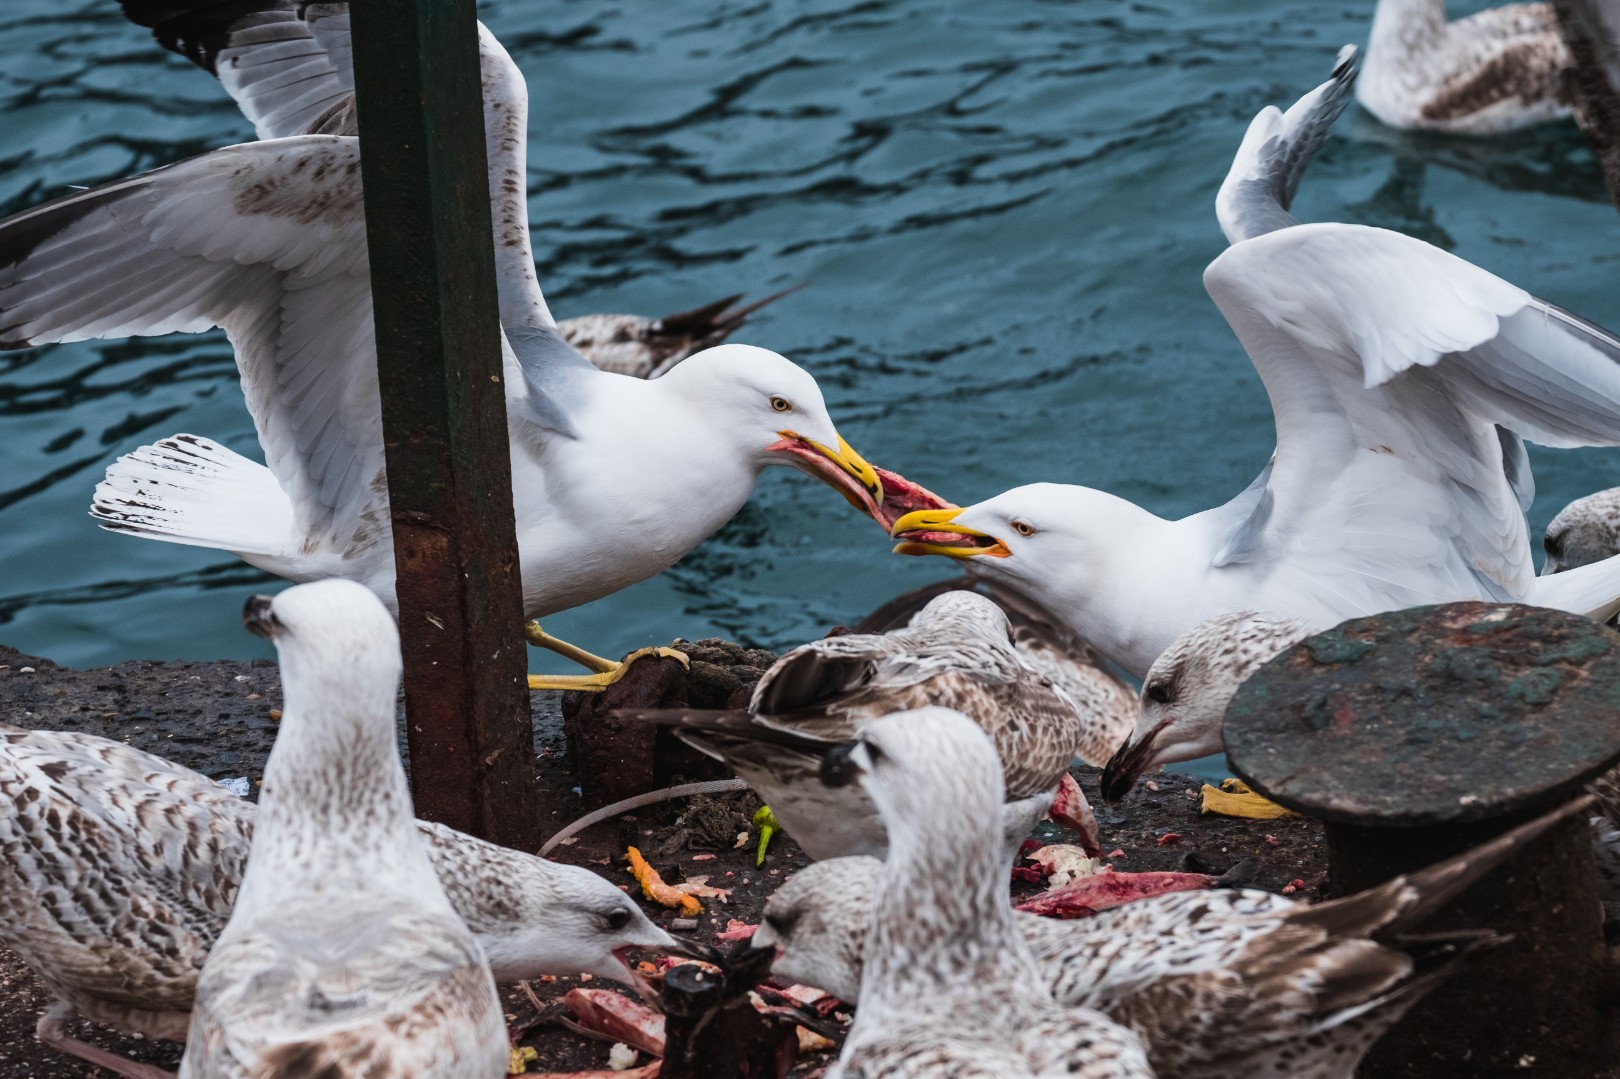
point(266, 241)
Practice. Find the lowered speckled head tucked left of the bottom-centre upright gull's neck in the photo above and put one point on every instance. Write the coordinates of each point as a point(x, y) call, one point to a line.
point(817, 924)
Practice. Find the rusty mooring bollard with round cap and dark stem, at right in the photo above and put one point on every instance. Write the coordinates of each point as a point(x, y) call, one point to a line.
point(1418, 735)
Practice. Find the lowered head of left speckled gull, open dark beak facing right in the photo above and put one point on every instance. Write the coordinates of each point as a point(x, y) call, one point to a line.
point(563, 919)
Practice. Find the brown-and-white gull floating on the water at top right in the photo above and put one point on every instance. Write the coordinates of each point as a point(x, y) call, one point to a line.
point(1498, 70)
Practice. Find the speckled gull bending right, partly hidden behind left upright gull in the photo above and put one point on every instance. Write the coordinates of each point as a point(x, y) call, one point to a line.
point(117, 906)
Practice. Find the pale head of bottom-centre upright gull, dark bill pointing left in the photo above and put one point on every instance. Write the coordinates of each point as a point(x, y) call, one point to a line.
point(931, 772)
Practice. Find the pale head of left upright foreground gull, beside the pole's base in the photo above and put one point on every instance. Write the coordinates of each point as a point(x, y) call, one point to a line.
point(336, 644)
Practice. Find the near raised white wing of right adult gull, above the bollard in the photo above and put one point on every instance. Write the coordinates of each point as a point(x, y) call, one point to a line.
point(1391, 365)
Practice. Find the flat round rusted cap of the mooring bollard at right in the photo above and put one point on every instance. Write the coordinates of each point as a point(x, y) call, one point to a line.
point(1433, 715)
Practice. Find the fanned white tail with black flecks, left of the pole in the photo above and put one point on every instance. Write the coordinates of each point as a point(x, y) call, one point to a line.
point(192, 490)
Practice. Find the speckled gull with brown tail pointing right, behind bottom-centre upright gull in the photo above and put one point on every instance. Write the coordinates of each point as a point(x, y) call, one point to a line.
point(1222, 984)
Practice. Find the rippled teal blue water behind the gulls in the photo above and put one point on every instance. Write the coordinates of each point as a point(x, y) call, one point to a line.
point(1002, 213)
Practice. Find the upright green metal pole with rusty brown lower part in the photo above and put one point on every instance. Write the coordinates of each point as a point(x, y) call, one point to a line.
point(420, 106)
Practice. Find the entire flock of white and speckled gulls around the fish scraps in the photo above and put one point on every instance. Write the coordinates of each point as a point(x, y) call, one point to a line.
point(326, 932)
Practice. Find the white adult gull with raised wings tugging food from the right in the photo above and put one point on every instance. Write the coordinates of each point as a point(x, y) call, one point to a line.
point(1402, 382)
